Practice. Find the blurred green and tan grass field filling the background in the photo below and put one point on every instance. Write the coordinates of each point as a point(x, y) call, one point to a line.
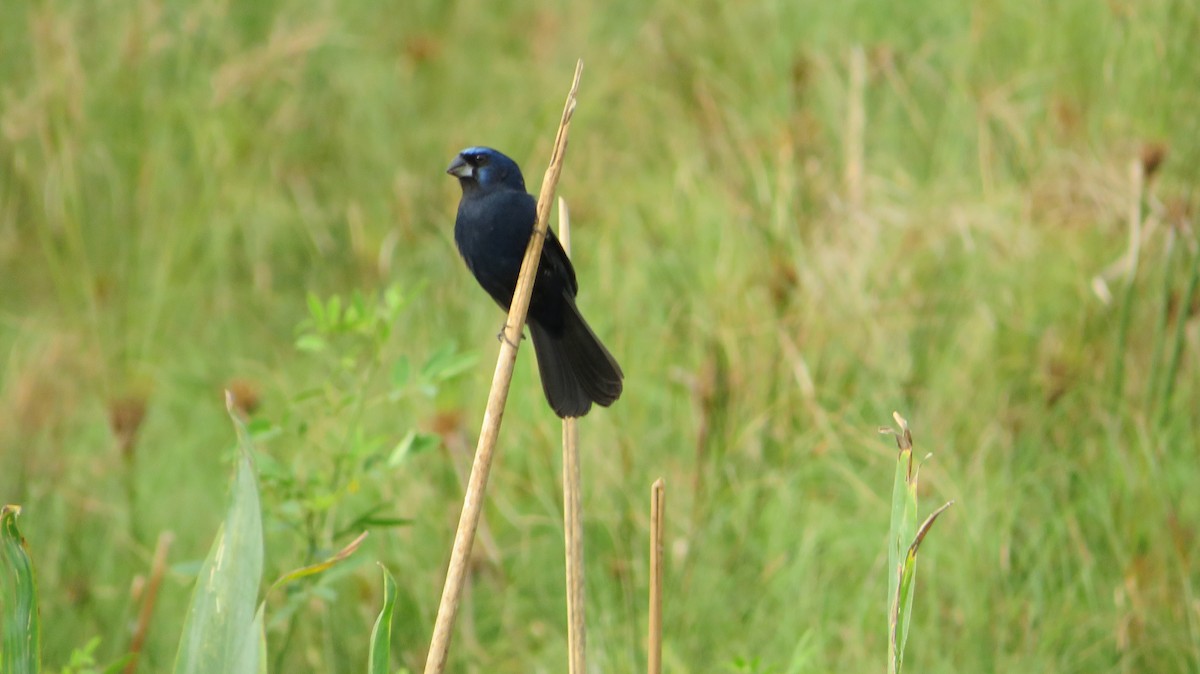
point(790, 220)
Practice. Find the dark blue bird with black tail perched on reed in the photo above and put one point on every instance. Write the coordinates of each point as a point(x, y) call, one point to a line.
point(496, 219)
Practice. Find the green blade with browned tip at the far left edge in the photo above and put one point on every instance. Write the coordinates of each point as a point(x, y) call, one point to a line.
point(19, 598)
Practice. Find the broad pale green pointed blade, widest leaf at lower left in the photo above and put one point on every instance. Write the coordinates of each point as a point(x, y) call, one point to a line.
point(219, 634)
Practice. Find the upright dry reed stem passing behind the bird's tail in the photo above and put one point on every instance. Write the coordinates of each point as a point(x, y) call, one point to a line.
point(573, 513)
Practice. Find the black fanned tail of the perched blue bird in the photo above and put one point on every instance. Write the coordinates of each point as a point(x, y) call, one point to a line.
point(577, 370)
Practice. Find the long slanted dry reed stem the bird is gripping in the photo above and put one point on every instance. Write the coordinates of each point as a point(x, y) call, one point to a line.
point(477, 485)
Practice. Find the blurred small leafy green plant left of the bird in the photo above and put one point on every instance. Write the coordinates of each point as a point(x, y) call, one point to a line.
point(331, 489)
